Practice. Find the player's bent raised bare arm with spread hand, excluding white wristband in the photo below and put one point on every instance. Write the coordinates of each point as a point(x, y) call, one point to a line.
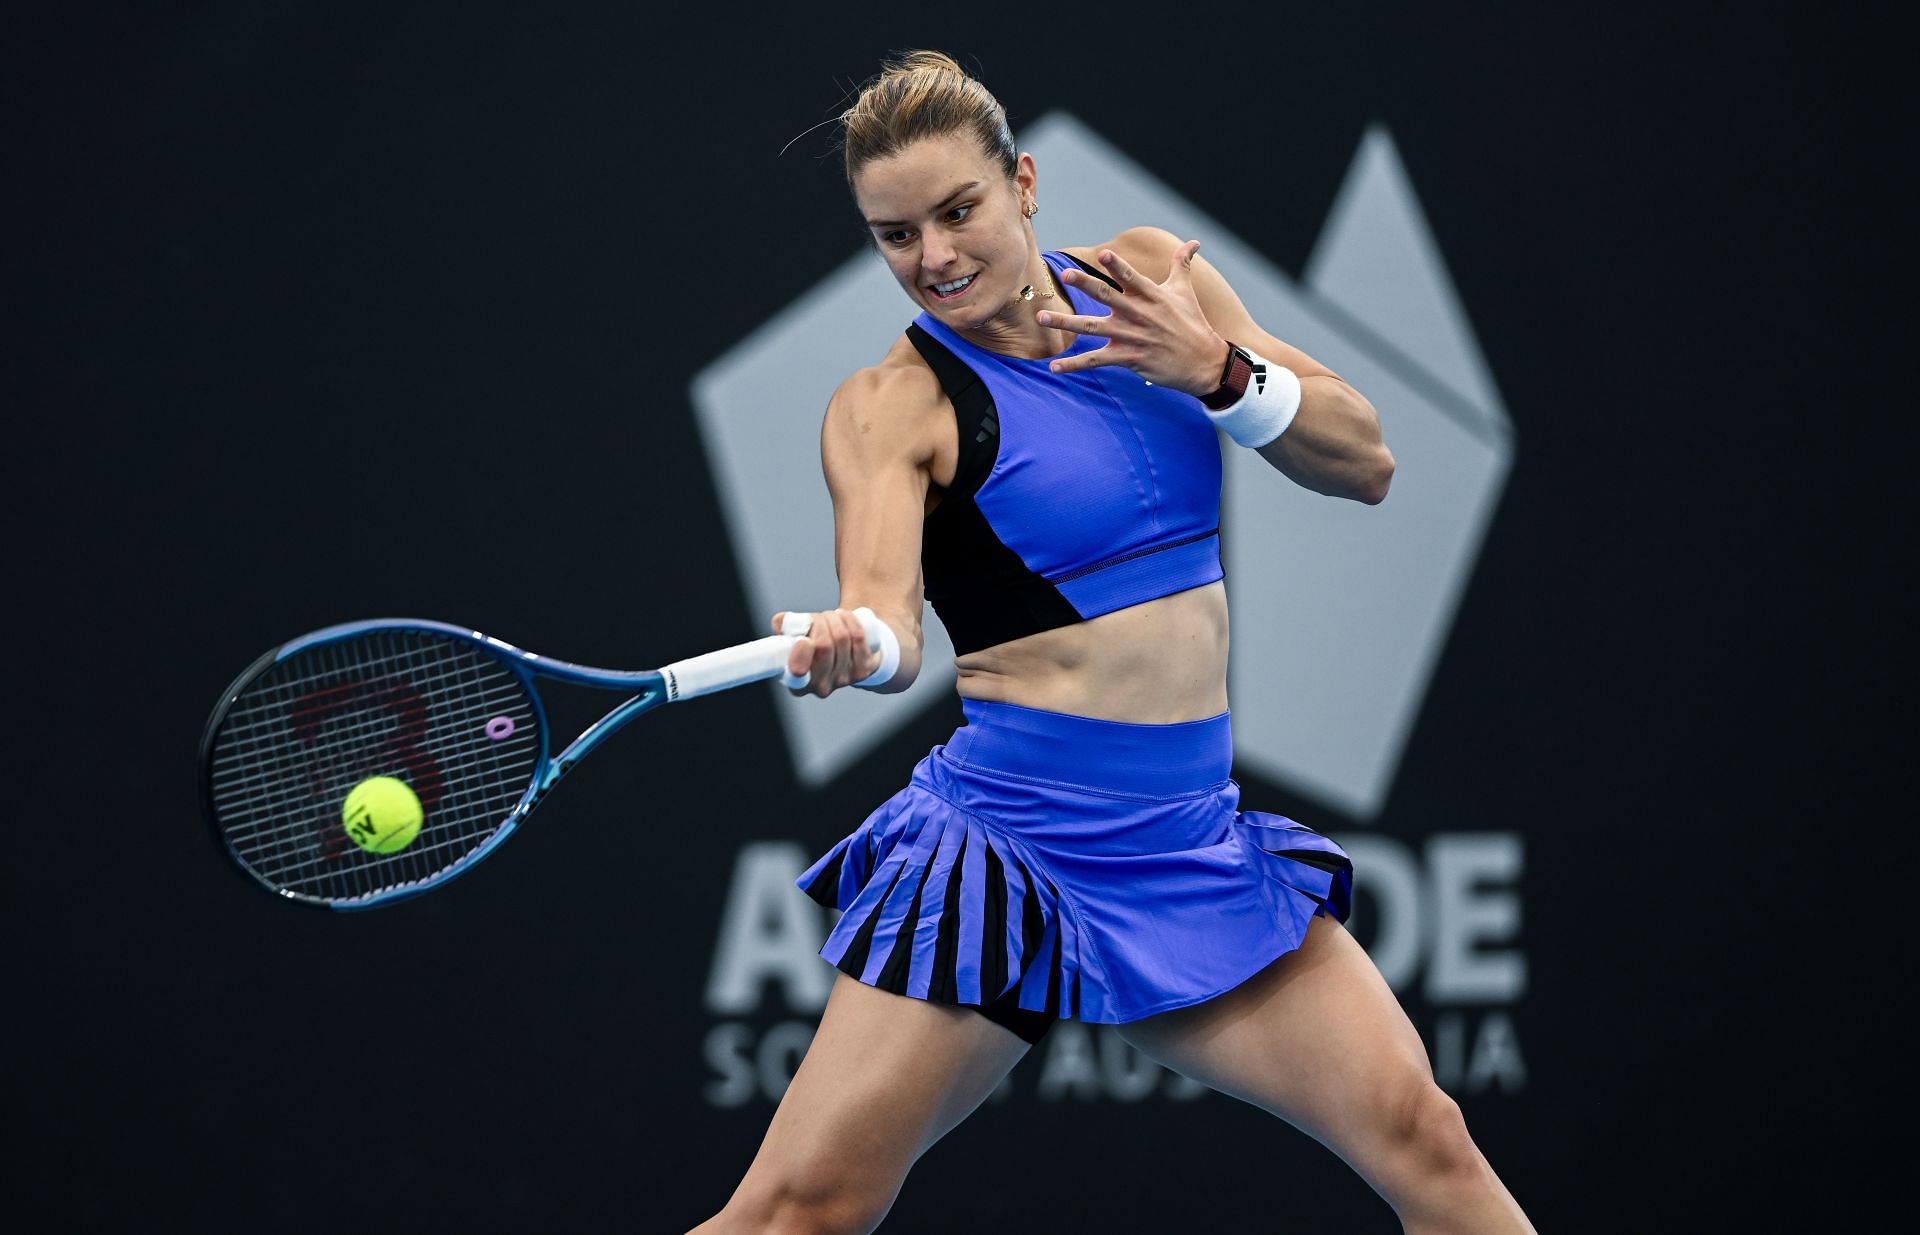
point(1189, 312)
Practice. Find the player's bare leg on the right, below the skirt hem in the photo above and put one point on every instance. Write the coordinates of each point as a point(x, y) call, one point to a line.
point(1320, 1040)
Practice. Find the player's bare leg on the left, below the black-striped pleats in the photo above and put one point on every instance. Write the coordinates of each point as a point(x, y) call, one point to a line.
point(884, 1080)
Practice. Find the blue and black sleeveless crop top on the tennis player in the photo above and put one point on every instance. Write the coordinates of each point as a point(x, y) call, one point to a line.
point(1076, 495)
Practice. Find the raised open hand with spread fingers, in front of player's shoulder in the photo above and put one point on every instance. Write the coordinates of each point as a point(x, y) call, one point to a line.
point(1157, 329)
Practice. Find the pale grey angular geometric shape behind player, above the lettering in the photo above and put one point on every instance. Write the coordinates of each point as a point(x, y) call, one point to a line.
point(1339, 610)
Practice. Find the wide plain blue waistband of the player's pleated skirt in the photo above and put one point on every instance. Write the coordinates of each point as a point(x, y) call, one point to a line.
point(1116, 756)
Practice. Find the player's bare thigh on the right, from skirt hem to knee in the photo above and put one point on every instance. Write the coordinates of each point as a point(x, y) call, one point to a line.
point(1318, 1038)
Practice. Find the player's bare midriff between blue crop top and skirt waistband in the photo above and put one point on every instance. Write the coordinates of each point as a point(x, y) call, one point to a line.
point(1155, 664)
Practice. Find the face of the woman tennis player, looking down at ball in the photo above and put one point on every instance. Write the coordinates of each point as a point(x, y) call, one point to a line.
point(951, 228)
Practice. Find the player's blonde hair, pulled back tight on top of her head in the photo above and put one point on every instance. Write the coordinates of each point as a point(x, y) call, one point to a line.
point(923, 95)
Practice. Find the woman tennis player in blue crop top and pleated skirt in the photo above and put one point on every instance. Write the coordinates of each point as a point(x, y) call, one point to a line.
point(1038, 456)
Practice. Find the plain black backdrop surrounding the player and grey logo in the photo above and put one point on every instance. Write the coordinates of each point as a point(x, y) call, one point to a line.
point(327, 316)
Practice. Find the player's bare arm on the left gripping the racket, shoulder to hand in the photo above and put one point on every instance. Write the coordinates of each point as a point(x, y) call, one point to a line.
point(878, 452)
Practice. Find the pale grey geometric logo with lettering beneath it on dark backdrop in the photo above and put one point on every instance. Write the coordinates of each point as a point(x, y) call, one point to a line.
point(1339, 610)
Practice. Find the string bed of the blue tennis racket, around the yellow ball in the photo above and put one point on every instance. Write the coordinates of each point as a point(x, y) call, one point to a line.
point(439, 714)
